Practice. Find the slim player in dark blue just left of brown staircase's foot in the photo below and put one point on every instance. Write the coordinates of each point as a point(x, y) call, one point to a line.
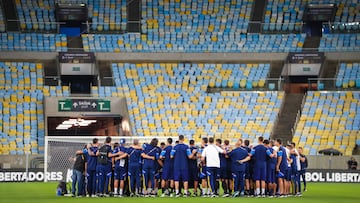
point(270, 168)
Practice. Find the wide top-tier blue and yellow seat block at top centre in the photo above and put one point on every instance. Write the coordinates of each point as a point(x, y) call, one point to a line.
point(216, 16)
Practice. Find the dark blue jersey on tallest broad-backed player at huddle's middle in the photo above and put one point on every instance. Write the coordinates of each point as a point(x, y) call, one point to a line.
point(180, 154)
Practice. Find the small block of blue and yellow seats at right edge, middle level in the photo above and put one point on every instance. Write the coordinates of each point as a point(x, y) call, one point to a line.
point(348, 75)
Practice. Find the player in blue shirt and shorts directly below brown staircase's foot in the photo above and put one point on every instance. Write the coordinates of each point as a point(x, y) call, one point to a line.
point(281, 166)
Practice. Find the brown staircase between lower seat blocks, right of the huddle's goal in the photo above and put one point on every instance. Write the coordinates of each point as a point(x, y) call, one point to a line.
point(287, 118)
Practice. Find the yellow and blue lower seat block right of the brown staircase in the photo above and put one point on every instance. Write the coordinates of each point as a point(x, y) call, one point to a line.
point(329, 120)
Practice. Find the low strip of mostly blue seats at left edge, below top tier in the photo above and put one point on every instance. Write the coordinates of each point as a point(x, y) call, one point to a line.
point(33, 42)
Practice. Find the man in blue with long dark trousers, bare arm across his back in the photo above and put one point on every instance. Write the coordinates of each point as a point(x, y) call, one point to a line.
point(238, 157)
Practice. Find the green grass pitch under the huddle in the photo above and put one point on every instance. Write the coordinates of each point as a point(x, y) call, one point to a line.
point(45, 193)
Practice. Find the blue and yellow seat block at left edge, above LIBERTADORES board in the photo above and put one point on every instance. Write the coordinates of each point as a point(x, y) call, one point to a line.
point(21, 107)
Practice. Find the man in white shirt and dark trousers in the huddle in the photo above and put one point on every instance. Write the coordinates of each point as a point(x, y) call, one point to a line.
point(210, 154)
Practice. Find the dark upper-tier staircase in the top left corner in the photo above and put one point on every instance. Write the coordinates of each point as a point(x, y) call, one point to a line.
point(11, 17)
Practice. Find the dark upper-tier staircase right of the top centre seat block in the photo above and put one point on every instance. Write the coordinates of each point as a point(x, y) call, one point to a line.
point(257, 16)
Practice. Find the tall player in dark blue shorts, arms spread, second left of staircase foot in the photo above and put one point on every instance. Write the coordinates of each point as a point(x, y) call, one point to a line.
point(260, 154)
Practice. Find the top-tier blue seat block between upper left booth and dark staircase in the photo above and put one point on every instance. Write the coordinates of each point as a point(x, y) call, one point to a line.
point(105, 15)
